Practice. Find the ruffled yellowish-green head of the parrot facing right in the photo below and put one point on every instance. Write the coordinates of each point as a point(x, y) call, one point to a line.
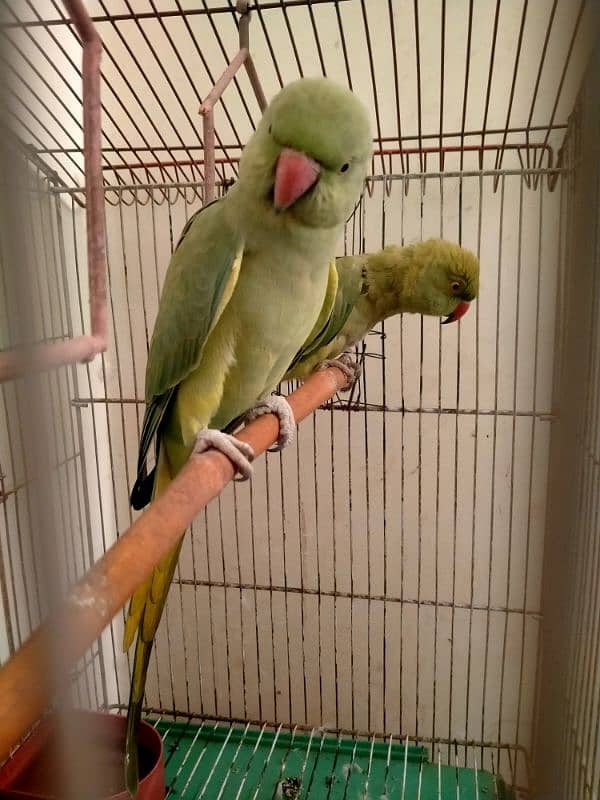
point(448, 278)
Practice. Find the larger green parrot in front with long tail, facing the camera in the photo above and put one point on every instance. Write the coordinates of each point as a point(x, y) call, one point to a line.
point(243, 291)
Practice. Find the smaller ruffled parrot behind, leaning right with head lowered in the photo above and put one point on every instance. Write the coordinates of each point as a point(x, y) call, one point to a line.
point(434, 277)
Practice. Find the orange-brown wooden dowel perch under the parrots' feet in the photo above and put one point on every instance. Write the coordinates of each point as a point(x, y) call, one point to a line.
point(26, 684)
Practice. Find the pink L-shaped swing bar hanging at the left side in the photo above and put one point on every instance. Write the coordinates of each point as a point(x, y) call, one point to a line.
point(17, 362)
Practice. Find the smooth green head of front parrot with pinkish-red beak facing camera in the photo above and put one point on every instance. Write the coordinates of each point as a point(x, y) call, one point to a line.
point(310, 153)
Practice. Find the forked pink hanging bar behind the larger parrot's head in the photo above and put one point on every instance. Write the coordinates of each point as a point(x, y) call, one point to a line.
point(207, 108)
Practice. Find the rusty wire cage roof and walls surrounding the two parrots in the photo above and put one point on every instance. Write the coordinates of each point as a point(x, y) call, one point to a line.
point(384, 576)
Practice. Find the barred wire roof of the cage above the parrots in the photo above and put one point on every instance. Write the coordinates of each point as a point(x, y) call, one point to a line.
point(152, 133)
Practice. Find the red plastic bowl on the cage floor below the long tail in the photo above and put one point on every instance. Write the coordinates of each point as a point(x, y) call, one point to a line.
point(34, 771)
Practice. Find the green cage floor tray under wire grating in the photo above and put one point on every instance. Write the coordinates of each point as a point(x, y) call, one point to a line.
point(242, 763)
